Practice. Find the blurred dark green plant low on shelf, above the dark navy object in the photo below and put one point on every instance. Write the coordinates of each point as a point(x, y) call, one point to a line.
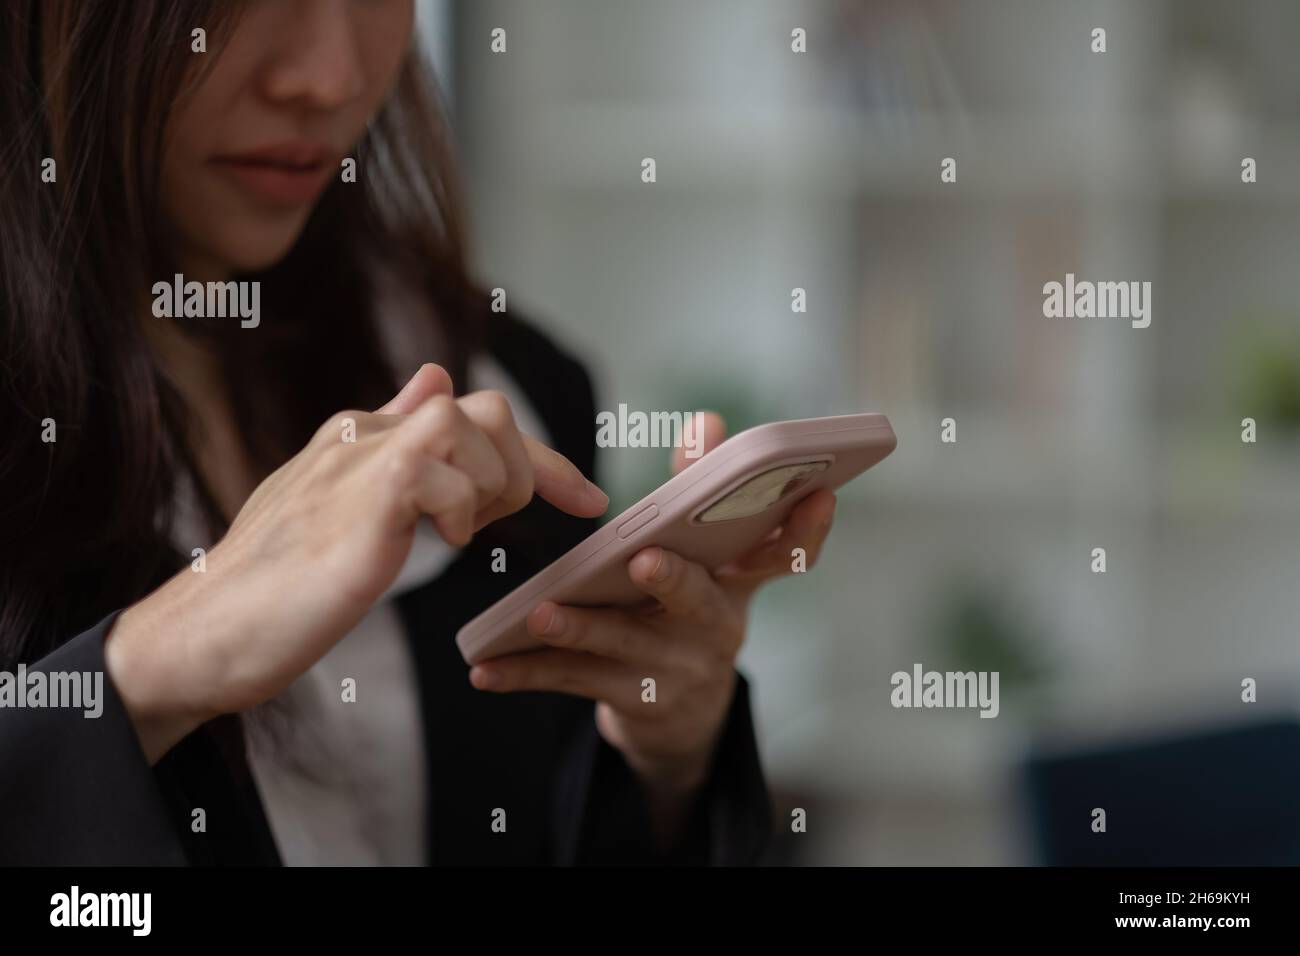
point(977, 629)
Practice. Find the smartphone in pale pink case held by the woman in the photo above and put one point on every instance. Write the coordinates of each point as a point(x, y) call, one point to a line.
point(714, 512)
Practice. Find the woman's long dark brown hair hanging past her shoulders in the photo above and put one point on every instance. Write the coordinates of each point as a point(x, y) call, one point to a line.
point(85, 521)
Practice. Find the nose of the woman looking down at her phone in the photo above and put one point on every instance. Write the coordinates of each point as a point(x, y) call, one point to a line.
point(317, 64)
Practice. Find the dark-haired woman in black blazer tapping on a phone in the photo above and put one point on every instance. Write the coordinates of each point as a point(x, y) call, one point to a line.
point(268, 577)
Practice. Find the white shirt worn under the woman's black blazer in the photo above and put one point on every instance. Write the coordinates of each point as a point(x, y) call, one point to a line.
point(344, 784)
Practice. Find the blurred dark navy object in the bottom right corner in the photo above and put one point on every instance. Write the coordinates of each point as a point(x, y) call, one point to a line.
point(1225, 798)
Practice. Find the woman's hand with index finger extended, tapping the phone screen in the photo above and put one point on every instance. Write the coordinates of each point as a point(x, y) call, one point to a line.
point(319, 543)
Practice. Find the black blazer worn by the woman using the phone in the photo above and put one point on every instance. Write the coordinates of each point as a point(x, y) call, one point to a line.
point(80, 791)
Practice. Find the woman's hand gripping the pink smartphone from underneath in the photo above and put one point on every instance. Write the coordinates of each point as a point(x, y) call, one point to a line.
point(686, 639)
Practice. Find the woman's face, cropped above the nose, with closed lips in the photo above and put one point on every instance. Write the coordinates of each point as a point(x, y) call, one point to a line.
point(253, 149)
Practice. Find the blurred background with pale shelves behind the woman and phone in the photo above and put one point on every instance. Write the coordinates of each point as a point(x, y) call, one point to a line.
point(925, 301)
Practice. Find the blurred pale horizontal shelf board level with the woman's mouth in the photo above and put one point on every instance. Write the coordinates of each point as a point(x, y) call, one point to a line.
point(837, 153)
